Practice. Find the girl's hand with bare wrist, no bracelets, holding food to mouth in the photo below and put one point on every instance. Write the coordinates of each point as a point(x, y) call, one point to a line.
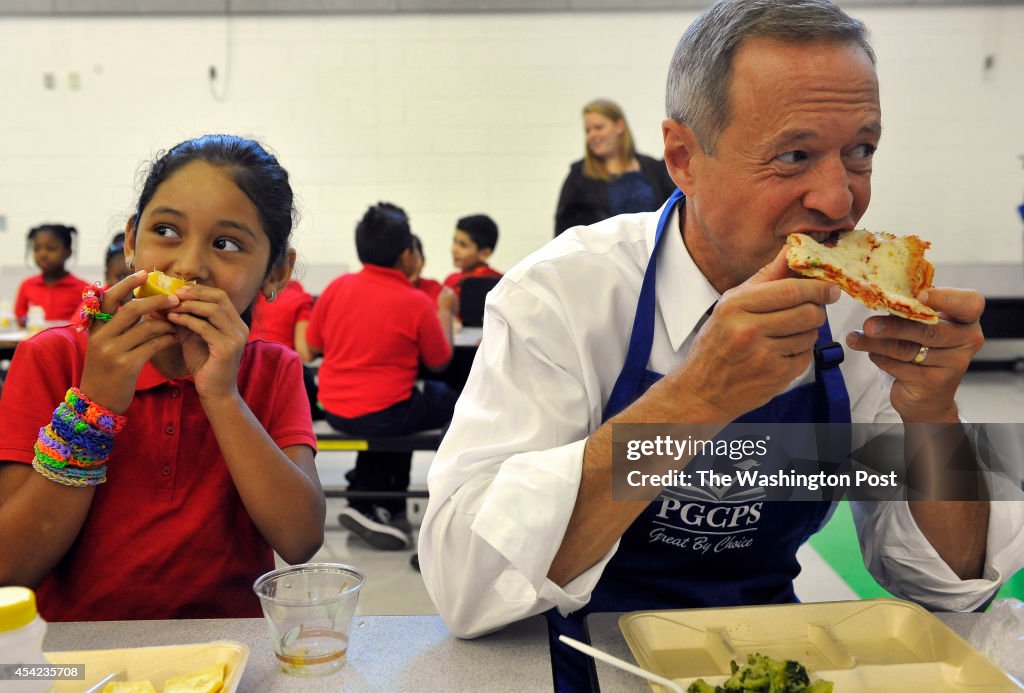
point(214, 337)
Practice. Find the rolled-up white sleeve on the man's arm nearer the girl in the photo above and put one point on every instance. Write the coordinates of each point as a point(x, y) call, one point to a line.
point(505, 481)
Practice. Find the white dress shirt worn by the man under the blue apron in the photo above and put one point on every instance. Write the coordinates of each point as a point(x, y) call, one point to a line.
point(505, 480)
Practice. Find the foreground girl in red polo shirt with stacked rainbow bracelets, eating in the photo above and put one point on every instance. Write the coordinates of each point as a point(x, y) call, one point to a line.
point(206, 437)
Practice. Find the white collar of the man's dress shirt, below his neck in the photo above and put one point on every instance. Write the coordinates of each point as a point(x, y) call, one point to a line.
point(684, 294)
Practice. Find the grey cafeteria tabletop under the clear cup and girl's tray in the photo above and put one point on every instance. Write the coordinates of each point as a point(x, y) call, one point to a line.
point(387, 654)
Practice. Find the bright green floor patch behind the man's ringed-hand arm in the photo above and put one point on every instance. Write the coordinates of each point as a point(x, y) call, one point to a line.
point(837, 544)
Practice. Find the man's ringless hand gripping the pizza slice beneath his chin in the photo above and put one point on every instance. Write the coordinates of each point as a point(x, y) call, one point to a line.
point(760, 338)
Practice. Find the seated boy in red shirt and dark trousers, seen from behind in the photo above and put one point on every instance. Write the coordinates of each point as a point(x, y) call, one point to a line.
point(374, 330)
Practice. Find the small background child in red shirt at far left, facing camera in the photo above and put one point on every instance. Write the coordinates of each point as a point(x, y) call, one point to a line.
point(57, 290)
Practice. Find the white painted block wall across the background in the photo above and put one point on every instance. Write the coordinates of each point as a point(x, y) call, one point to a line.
point(450, 115)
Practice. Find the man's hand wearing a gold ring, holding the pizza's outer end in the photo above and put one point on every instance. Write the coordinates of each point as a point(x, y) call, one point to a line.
point(924, 392)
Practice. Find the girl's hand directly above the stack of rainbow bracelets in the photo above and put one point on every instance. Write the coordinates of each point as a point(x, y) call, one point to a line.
point(120, 349)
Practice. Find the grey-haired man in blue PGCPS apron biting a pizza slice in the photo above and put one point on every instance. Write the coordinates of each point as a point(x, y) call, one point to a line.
point(692, 316)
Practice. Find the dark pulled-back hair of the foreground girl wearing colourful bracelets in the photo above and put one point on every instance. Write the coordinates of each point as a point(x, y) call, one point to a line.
point(253, 169)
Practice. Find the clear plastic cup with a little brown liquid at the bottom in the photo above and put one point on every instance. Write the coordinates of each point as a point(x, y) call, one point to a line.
point(310, 609)
